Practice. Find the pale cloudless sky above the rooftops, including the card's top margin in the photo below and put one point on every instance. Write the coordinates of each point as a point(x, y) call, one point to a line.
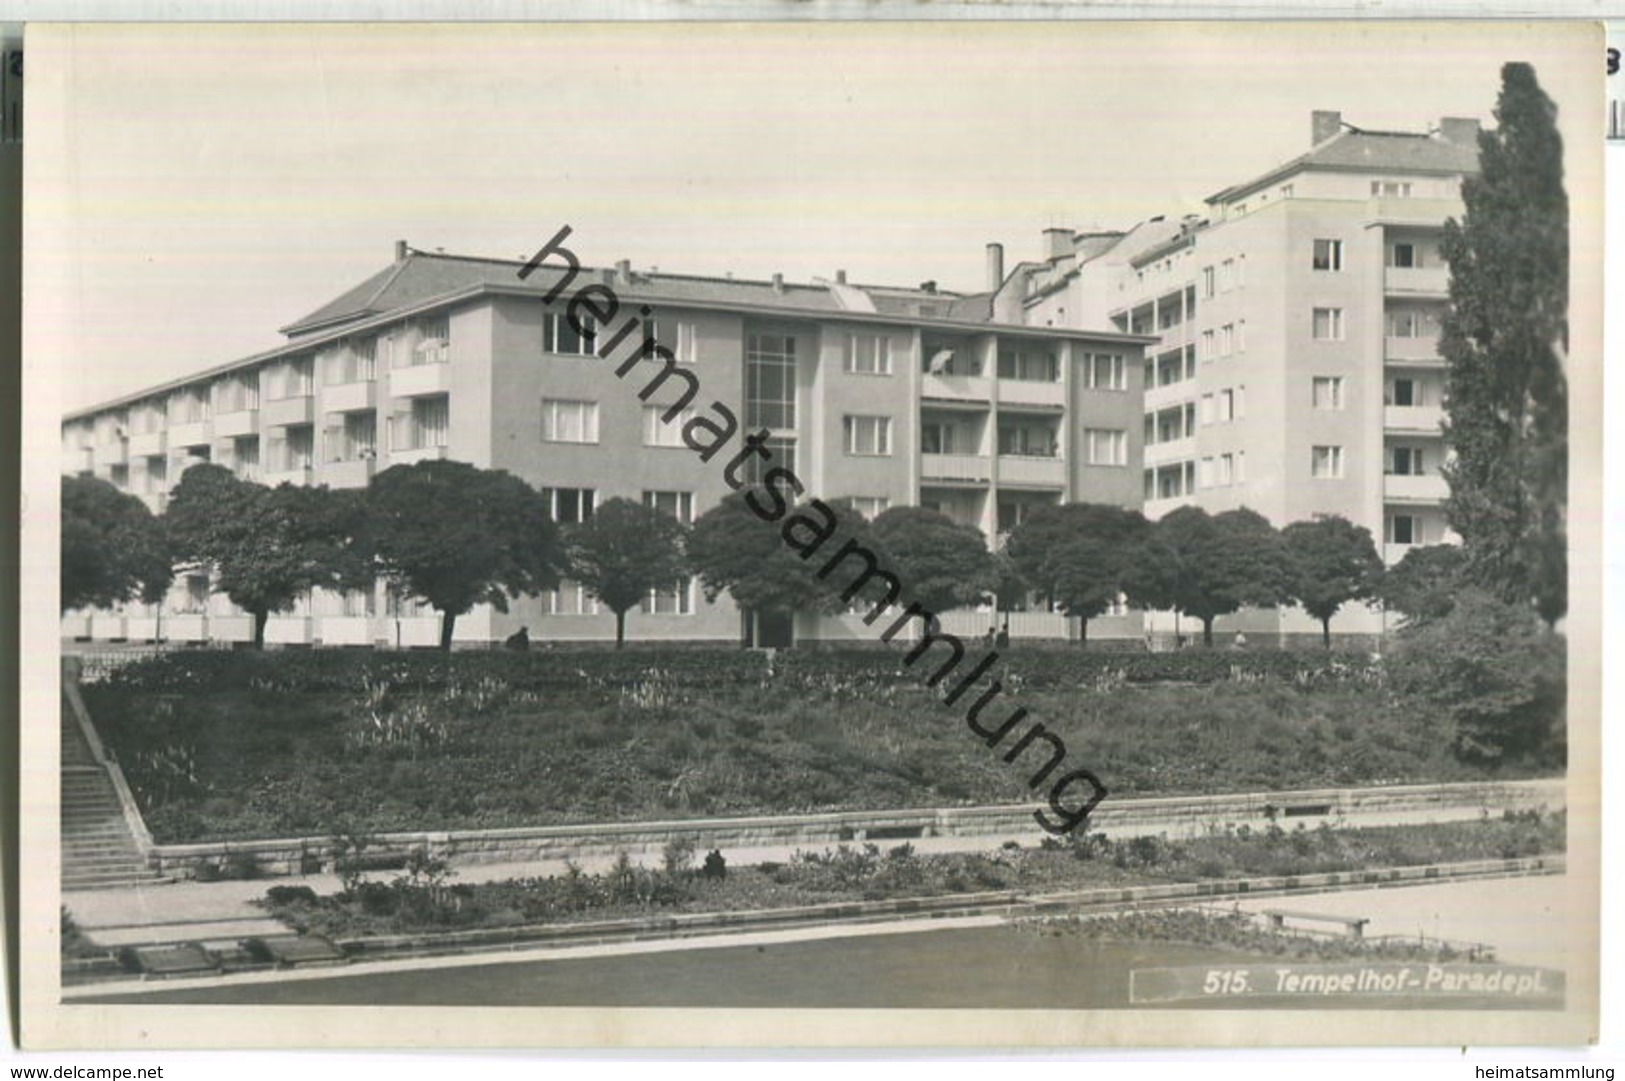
point(191, 189)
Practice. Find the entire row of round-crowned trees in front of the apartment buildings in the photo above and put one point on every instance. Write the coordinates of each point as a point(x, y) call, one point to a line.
point(454, 536)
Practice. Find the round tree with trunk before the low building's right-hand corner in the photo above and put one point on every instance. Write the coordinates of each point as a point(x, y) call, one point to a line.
point(1081, 555)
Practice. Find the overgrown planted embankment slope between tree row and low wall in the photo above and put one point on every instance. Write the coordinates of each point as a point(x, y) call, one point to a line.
point(238, 747)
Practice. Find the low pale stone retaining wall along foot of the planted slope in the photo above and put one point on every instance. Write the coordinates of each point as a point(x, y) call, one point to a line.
point(1177, 817)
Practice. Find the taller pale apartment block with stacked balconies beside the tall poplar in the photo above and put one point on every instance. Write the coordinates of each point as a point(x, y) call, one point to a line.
point(1298, 323)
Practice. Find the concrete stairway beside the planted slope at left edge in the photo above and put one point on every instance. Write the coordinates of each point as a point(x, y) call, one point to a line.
point(98, 849)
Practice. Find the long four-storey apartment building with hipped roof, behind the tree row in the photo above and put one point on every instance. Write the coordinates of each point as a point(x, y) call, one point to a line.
point(882, 396)
